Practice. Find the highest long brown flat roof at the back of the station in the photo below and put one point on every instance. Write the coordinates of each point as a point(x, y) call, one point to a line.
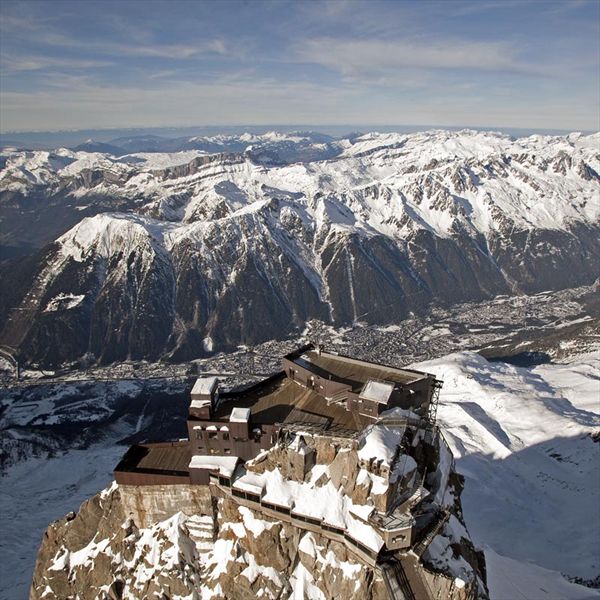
point(353, 371)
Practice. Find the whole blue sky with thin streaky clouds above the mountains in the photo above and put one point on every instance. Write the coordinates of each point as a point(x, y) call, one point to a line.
point(147, 63)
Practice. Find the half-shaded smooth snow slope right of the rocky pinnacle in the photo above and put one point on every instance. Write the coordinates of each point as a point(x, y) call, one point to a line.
point(522, 439)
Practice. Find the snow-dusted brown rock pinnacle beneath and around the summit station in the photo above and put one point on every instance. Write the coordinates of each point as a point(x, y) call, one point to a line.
point(225, 549)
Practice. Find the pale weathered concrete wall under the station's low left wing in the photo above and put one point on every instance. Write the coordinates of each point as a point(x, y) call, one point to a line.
point(151, 503)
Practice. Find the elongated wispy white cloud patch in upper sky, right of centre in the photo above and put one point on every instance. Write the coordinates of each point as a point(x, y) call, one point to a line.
point(370, 57)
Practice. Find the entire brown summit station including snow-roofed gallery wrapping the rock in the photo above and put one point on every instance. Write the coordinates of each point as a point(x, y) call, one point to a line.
point(319, 400)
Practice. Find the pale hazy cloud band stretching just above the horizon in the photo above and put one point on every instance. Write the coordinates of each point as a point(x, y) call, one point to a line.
point(261, 101)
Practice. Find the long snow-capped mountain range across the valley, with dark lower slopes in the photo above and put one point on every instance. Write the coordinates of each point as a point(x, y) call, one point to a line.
point(208, 251)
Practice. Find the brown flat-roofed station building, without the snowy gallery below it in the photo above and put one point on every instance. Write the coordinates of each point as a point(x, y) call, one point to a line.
point(323, 391)
